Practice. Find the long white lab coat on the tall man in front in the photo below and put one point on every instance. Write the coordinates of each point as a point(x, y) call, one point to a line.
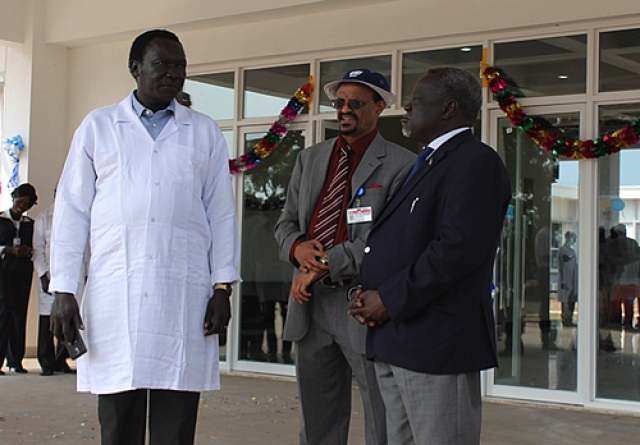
point(160, 216)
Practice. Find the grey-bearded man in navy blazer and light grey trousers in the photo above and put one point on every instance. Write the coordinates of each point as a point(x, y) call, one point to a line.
point(427, 270)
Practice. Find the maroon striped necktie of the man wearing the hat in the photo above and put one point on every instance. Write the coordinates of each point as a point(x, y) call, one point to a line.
point(329, 215)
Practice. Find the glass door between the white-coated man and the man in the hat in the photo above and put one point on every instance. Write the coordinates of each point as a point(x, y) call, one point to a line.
point(262, 307)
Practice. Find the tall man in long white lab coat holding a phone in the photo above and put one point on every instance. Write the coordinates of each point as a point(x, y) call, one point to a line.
point(147, 182)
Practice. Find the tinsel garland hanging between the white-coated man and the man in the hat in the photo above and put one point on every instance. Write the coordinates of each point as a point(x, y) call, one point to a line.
point(278, 129)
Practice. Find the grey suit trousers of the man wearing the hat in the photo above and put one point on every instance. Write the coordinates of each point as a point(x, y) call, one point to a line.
point(325, 364)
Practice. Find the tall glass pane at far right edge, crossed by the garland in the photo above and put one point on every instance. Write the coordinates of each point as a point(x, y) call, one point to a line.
point(618, 206)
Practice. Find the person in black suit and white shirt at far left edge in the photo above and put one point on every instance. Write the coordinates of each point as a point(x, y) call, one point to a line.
point(16, 273)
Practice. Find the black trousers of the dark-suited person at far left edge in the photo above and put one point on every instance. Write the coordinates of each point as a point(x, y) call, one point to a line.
point(15, 287)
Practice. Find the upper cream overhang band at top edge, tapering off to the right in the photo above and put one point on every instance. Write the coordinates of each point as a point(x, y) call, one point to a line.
point(78, 22)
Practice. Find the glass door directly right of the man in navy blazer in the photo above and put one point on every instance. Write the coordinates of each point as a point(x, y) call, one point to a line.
point(536, 297)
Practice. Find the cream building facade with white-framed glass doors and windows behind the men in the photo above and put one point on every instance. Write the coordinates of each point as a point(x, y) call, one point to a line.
point(570, 238)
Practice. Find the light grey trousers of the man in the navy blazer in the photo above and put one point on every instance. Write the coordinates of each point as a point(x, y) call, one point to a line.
point(430, 409)
